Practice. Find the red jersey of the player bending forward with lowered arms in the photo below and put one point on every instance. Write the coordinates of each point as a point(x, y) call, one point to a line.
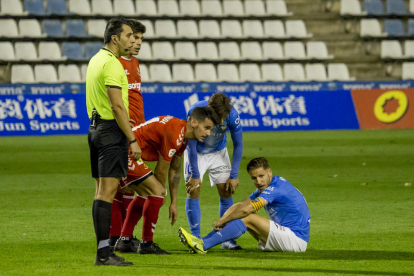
point(163, 135)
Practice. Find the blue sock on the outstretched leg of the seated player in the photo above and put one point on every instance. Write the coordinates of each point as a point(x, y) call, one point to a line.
point(233, 230)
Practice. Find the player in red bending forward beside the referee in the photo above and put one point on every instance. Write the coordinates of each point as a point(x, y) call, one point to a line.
point(162, 139)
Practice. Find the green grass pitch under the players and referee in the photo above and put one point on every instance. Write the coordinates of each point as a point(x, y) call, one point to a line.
point(46, 201)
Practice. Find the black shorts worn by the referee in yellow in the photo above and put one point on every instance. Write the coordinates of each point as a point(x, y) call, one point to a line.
point(108, 149)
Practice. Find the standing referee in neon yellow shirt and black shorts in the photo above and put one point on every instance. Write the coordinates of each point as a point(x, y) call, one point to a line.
point(109, 132)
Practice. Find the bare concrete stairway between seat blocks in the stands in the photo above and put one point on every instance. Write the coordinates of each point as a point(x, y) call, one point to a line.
point(322, 19)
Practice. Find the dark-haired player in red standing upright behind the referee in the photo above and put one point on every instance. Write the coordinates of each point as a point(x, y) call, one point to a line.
point(130, 63)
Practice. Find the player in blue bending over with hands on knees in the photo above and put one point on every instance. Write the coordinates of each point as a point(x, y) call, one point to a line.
point(211, 155)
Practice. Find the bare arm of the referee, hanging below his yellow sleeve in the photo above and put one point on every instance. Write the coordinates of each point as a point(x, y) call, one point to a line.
point(121, 117)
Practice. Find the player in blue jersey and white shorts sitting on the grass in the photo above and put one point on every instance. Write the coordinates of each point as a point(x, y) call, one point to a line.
point(288, 229)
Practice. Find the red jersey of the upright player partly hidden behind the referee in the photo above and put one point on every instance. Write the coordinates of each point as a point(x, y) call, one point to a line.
point(136, 104)
